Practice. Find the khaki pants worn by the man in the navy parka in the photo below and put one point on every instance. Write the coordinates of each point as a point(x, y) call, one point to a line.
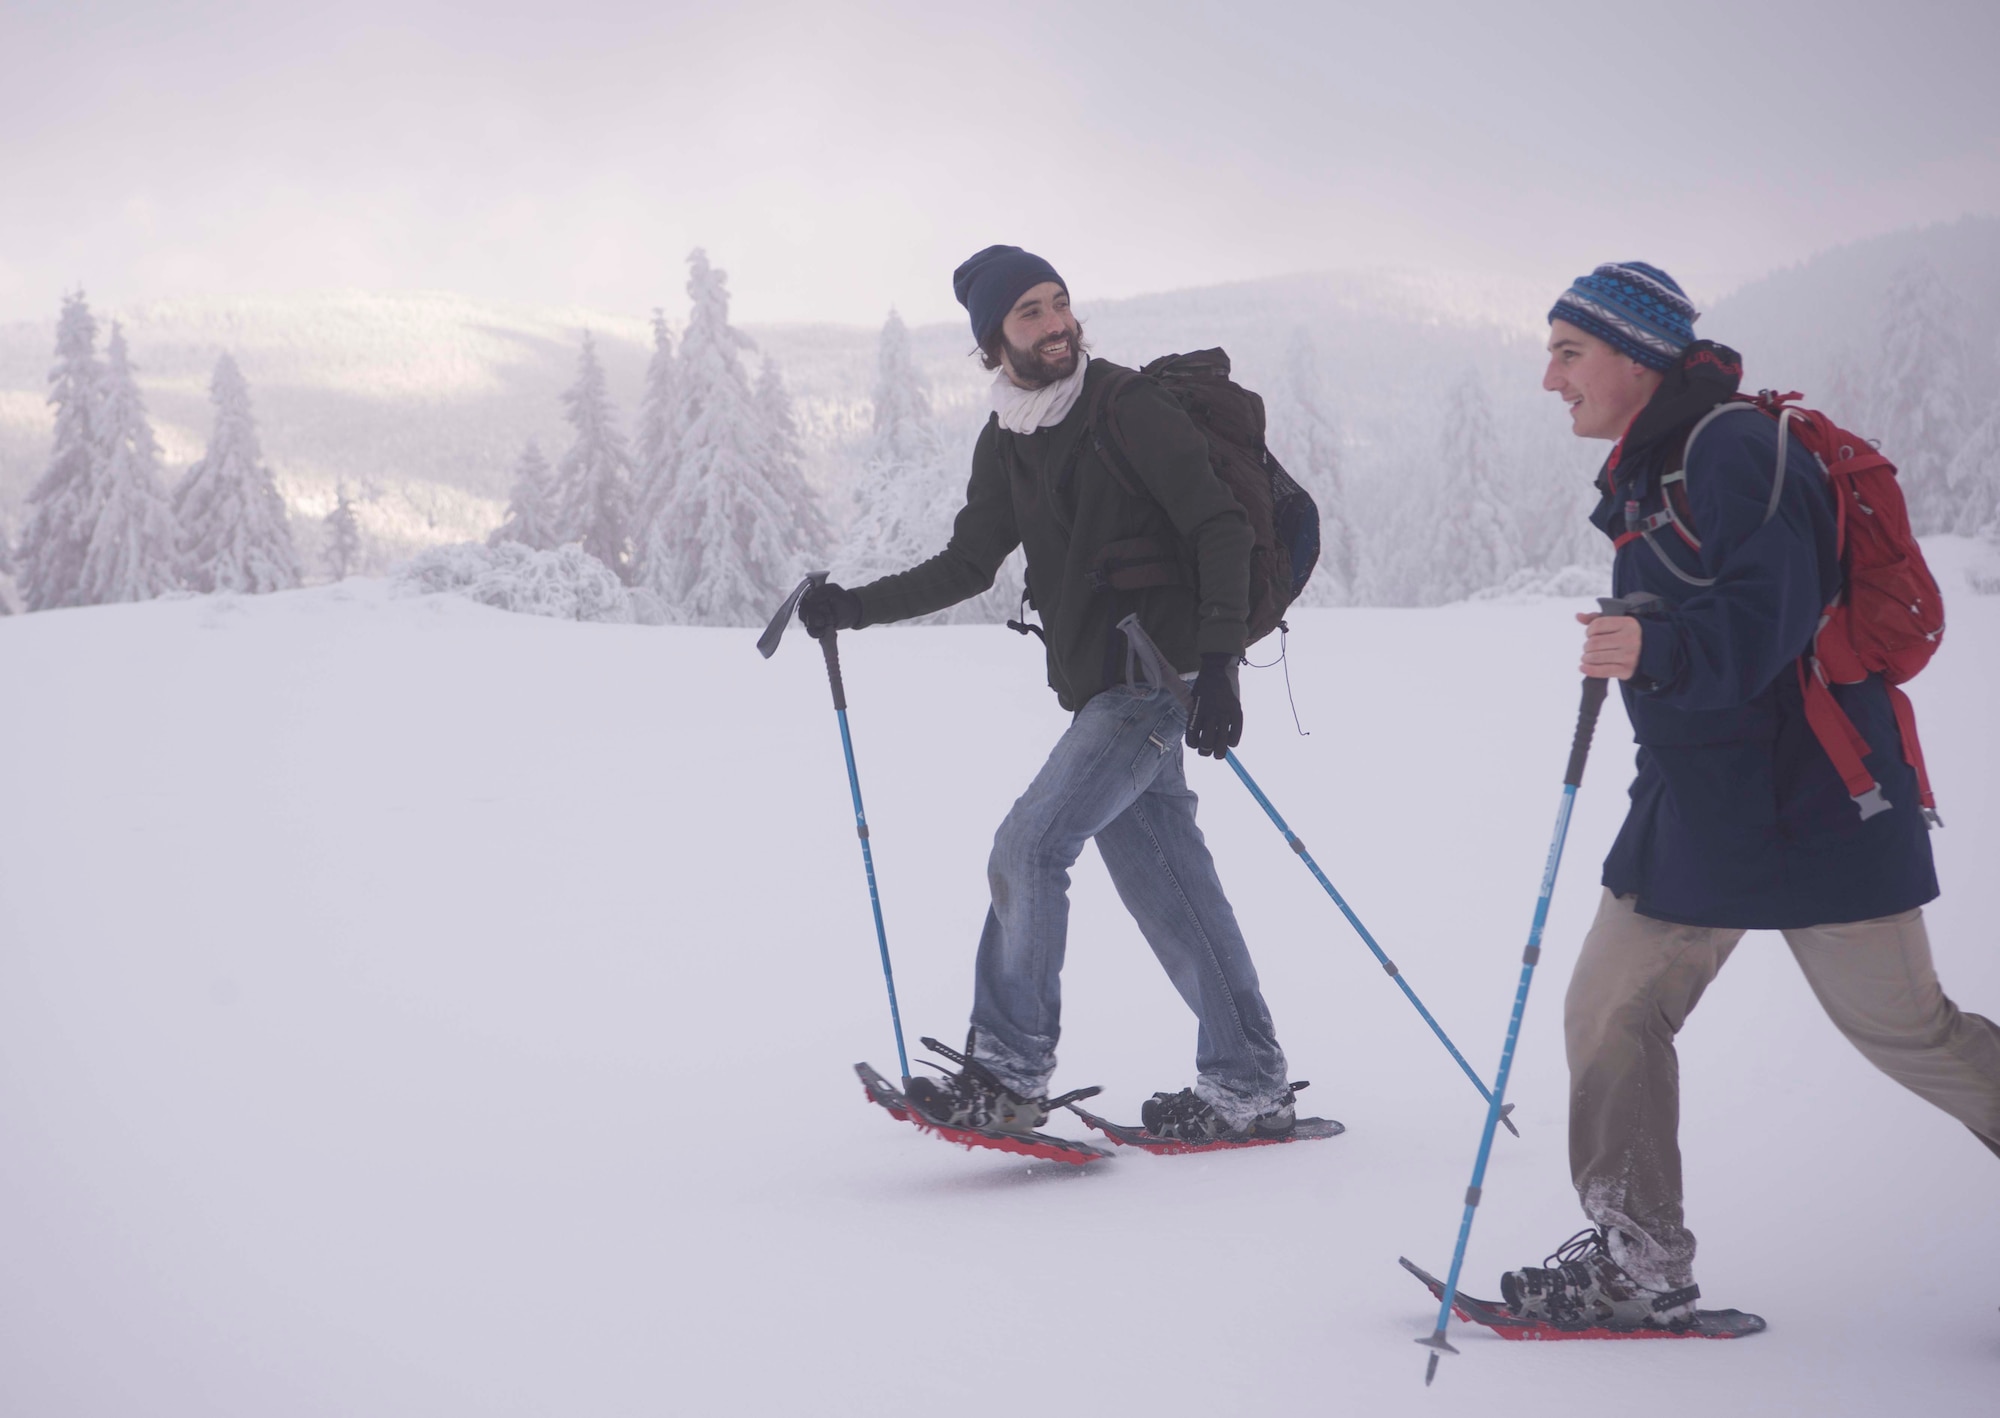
point(1635, 987)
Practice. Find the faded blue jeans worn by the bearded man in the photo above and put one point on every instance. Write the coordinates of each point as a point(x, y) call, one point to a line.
point(1115, 777)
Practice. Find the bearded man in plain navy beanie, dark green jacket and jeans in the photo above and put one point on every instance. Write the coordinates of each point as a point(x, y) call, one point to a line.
point(1115, 777)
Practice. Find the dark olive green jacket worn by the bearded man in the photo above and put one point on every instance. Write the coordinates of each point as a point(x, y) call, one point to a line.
point(1053, 493)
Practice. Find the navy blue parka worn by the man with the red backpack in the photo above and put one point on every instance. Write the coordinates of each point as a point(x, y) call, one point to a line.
point(1739, 817)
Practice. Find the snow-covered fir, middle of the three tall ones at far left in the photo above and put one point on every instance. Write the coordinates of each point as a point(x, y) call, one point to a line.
point(133, 549)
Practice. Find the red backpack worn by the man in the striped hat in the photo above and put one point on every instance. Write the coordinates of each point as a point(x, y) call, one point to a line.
point(1889, 615)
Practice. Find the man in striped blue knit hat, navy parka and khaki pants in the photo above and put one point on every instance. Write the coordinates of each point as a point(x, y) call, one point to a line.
point(1725, 543)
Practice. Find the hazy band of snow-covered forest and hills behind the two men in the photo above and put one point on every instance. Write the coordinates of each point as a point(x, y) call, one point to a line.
point(1409, 409)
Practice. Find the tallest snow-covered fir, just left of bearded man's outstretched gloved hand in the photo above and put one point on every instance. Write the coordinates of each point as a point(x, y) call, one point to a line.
point(741, 523)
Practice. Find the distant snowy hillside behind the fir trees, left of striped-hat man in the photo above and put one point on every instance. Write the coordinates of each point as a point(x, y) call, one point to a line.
point(425, 401)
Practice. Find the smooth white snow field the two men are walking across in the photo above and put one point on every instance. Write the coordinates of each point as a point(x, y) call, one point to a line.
point(415, 1009)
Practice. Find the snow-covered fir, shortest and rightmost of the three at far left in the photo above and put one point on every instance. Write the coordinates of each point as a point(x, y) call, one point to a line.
point(233, 525)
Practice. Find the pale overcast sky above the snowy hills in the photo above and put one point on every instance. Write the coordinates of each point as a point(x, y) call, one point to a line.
point(841, 159)
